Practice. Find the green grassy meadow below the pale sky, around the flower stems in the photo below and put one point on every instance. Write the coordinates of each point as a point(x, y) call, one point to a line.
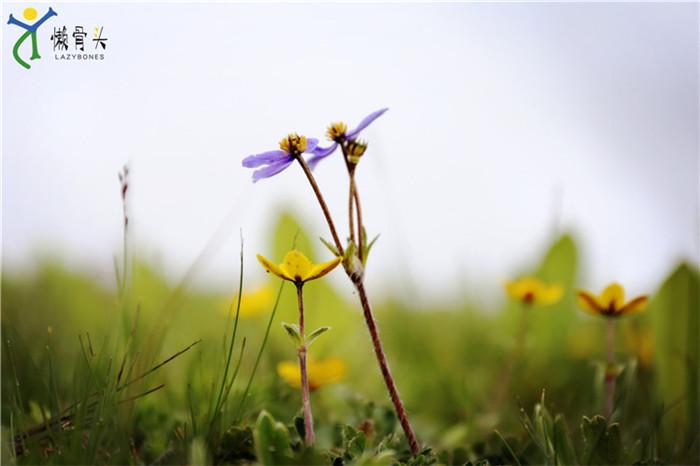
point(66, 388)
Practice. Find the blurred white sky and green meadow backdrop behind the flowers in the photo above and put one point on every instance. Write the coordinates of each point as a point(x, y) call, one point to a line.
point(556, 140)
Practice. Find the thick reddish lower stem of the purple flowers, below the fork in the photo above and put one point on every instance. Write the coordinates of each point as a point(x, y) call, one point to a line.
point(384, 367)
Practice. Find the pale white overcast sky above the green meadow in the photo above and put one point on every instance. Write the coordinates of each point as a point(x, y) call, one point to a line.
point(494, 108)
